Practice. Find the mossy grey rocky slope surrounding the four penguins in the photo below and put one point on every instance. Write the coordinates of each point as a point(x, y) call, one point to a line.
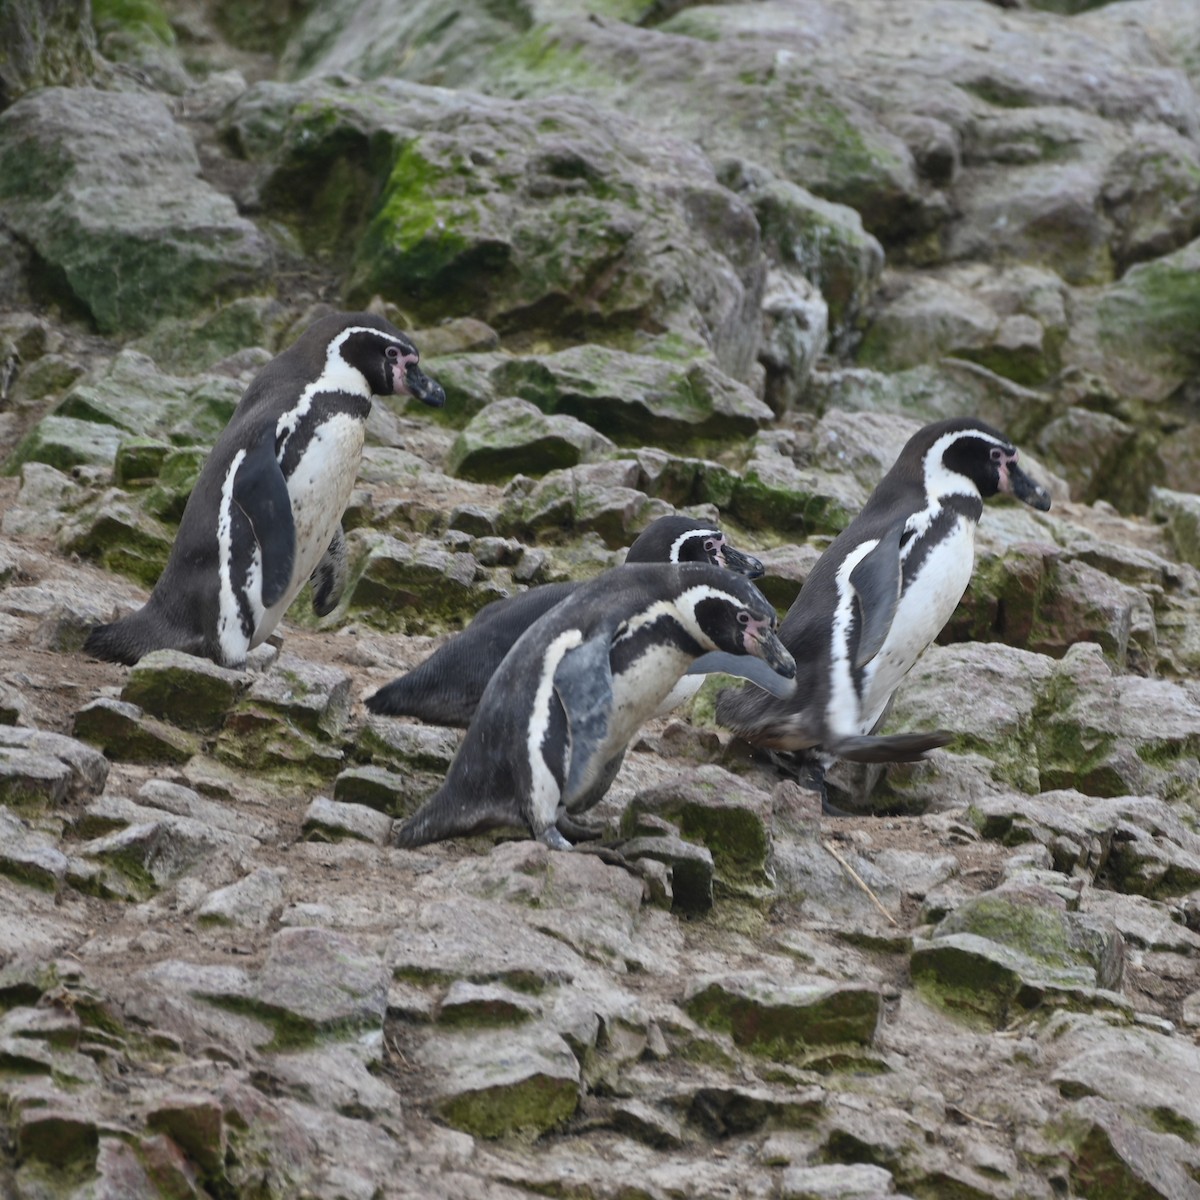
point(722, 260)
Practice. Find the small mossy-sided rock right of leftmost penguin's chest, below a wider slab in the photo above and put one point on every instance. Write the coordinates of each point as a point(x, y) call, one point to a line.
point(514, 436)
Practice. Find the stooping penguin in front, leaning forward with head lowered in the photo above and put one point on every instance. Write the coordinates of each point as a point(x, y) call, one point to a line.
point(557, 716)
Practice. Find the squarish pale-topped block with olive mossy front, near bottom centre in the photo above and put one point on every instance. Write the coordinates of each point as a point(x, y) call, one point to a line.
point(494, 1085)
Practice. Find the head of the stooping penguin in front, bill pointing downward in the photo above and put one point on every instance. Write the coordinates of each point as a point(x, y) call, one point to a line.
point(728, 613)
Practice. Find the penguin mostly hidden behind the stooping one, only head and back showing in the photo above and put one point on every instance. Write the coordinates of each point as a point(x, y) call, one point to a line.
point(447, 687)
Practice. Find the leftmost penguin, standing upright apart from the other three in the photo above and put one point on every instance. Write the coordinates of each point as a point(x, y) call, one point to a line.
point(266, 513)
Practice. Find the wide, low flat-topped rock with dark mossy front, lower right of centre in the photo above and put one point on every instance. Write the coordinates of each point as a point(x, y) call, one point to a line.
point(785, 1022)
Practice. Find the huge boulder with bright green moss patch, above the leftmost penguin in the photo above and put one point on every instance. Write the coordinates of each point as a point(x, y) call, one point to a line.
point(571, 243)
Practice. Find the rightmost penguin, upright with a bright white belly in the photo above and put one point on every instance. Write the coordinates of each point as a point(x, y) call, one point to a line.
point(880, 595)
